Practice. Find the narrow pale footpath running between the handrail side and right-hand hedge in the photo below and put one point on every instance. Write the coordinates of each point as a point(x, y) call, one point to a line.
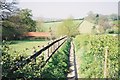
point(72, 74)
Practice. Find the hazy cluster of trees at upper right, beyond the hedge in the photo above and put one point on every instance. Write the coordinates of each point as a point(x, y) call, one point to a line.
point(106, 23)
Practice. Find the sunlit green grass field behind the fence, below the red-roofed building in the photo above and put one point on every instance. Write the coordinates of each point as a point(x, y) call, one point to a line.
point(26, 47)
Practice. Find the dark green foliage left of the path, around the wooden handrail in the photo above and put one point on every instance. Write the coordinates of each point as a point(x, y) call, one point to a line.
point(56, 68)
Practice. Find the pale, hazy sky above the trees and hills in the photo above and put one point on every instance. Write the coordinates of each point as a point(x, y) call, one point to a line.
point(65, 9)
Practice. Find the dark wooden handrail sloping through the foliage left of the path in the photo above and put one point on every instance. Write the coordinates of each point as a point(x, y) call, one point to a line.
point(28, 60)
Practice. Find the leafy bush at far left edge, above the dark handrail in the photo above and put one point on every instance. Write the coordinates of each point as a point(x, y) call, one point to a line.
point(9, 58)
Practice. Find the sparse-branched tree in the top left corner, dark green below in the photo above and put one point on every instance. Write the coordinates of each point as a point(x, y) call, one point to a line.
point(8, 9)
